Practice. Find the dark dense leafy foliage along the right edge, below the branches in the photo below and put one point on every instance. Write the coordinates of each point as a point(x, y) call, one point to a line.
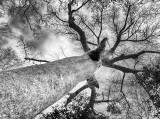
point(150, 80)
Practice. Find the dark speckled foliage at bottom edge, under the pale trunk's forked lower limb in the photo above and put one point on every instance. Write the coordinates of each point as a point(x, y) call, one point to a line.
point(75, 110)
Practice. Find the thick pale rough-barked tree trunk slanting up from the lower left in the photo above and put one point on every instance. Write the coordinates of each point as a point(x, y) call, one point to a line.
point(26, 92)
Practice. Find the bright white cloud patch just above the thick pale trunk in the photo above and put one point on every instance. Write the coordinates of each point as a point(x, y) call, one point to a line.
point(58, 45)
